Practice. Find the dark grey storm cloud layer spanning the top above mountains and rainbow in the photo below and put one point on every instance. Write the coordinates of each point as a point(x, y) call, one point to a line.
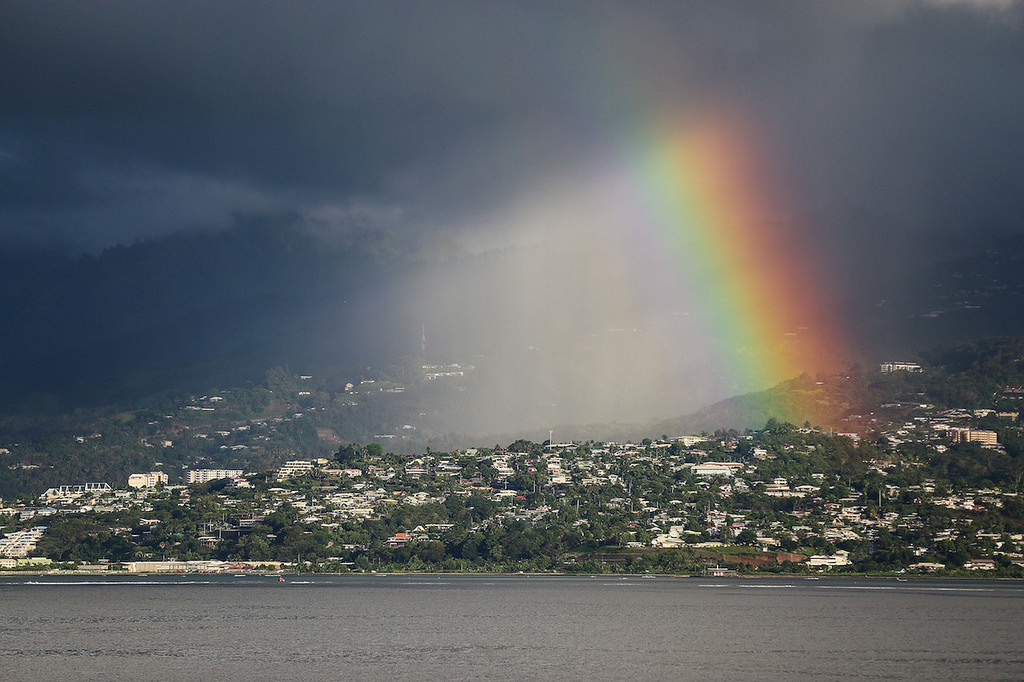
point(113, 114)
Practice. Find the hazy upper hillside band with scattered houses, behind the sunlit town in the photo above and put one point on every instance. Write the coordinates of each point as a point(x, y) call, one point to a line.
point(287, 416)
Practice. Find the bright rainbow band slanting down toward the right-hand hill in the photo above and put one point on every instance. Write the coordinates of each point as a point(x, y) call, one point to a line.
point(712, 204)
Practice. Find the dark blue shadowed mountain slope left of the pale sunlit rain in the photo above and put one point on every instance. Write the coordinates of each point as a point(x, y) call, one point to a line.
point(187, 312)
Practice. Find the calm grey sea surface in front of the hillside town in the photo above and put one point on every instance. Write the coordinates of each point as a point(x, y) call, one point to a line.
point(508, 628)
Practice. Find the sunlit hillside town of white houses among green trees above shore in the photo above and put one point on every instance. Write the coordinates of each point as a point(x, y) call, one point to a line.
point(911, 489)
